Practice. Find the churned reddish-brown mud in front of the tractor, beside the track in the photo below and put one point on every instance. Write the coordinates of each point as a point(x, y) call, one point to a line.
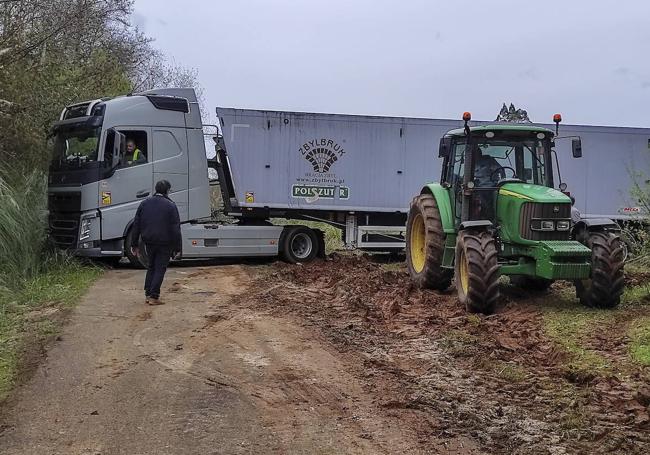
point(497, 379)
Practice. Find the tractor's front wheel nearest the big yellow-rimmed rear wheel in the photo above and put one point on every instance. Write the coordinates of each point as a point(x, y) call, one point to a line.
point(477, 271)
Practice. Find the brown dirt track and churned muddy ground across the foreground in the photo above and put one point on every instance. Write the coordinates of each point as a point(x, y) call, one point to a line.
point(337, 356)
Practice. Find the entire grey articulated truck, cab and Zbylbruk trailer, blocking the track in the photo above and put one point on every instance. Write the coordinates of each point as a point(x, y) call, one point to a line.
point(357, 173)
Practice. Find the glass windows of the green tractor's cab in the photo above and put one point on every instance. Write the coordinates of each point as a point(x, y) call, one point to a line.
point(506, 156)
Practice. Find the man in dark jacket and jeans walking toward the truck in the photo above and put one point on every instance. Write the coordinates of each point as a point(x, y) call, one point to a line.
point(158, 222)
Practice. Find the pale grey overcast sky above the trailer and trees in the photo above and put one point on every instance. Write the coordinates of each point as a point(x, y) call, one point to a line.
point(588, 59)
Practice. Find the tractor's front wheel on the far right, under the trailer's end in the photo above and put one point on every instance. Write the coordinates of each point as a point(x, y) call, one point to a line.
point(605, 286)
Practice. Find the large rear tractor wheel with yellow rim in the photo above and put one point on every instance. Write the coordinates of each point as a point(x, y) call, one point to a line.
point(425, 244)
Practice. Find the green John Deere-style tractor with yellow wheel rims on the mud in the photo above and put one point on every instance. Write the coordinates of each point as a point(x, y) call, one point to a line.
point(495, 212)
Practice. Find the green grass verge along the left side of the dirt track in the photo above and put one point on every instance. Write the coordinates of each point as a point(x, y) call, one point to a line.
point(27, 311)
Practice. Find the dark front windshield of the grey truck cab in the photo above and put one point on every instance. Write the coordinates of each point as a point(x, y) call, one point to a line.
point(75, 148)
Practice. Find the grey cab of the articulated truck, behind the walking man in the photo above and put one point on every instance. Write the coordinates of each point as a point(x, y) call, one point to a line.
point(97, 179)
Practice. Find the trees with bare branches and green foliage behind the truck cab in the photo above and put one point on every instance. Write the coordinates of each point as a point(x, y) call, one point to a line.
point(56, 52)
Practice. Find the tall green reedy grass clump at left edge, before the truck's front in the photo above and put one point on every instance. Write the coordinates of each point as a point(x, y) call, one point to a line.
point(23, 218)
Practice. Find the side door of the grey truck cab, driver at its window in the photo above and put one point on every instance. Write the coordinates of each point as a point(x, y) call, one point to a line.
point(121, 194)
